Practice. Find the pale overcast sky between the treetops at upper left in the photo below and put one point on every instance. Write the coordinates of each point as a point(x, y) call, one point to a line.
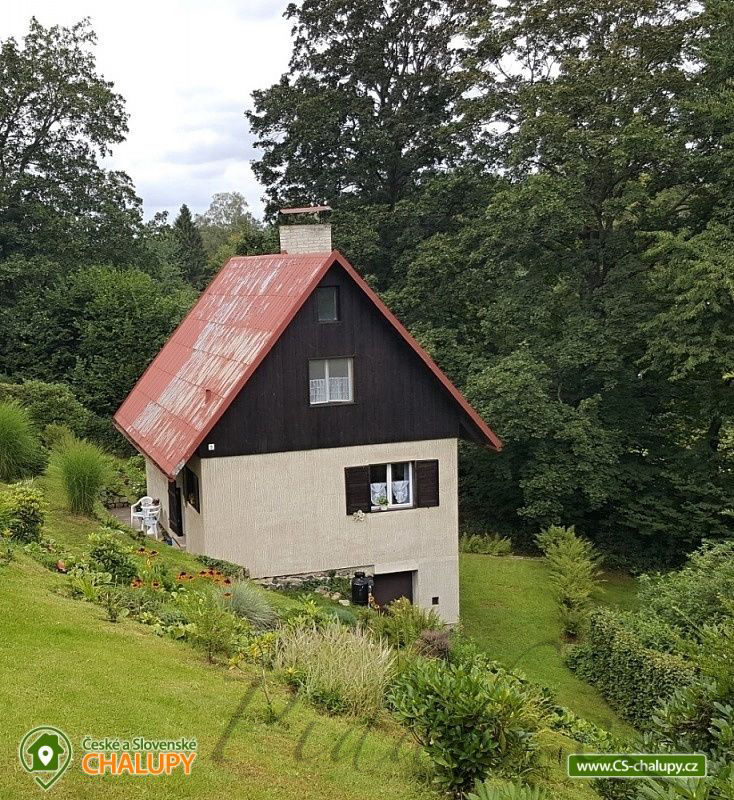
point(186, 70)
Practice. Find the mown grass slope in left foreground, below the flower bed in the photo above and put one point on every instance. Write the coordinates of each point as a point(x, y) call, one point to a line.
point(88, 676)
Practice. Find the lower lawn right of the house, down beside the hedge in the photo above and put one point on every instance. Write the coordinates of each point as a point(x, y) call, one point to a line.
point(507, 606)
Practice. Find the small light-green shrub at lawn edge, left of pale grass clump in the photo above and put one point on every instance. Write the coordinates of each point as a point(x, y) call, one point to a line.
point(212, 626)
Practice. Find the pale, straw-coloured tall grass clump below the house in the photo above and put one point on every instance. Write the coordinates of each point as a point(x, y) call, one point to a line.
point(343, 669)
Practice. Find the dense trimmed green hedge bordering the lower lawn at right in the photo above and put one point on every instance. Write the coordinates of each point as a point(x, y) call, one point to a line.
point(633, 678)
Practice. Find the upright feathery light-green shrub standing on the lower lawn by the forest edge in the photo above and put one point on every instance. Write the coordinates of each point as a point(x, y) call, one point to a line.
point(574, 574)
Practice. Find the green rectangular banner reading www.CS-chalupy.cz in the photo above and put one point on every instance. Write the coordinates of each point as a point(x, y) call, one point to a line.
point(637, 765)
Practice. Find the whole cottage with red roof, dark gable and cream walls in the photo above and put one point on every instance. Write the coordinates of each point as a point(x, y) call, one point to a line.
point(292, 425)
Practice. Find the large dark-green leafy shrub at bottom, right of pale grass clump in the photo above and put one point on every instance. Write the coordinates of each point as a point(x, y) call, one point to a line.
point(468, 721)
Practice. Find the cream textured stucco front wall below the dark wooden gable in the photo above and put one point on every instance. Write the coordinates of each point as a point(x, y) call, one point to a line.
point(285, 513)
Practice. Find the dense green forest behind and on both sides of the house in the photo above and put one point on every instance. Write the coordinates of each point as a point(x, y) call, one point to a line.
point(542, 192)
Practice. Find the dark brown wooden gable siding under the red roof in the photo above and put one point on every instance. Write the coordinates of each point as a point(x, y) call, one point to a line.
point(396, 397)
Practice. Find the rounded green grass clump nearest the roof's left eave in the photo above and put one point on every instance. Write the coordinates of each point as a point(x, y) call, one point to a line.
point(81, 468)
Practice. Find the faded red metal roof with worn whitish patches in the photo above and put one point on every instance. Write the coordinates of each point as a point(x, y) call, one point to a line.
point(219, 345)
